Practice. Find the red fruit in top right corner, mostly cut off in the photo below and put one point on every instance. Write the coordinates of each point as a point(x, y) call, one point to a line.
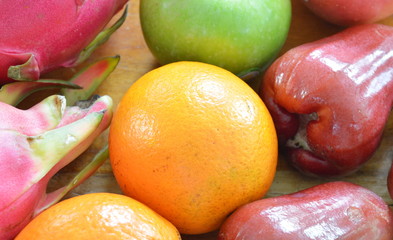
point(350, 12)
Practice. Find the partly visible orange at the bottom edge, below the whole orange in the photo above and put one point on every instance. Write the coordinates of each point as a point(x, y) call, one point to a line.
point(104, 216)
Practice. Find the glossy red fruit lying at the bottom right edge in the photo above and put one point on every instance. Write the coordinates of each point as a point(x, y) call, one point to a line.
point(335, 210)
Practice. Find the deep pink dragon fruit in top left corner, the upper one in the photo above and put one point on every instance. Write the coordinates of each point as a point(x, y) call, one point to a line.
point(41, 35)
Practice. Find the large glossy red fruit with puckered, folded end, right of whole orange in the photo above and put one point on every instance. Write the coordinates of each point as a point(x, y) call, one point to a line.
point(330, 99)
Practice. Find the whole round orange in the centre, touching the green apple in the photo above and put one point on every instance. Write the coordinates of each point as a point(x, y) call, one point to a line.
point(193, 142)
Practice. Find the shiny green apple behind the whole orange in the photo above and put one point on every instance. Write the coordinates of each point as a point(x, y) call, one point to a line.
point(237, 35)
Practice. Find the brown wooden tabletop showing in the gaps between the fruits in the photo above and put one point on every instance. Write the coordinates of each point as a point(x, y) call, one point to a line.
point(136, 60)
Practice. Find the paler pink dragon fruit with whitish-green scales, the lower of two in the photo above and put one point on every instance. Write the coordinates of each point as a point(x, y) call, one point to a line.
point(41, 140)
